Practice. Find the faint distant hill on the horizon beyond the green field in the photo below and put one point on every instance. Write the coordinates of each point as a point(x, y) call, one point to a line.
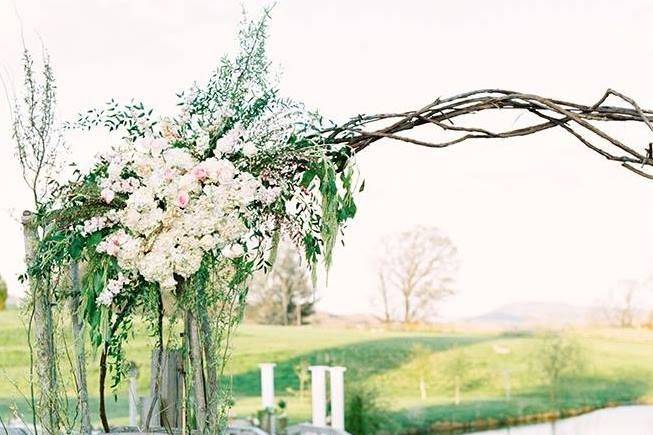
point(530, 314)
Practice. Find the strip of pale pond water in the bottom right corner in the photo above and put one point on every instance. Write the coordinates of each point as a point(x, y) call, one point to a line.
point(624, 420)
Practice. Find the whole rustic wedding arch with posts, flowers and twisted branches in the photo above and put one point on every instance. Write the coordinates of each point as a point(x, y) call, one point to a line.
point(169, 224)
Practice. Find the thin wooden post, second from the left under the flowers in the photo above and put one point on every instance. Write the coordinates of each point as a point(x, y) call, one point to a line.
point(80, 352)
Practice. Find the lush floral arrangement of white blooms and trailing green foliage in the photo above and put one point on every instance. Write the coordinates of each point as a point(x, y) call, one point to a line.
point(176, 217)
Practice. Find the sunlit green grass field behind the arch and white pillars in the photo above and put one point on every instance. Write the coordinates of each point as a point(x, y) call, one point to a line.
point(618, 369)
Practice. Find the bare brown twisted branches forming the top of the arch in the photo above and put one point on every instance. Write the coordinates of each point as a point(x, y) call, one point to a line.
point(585, 123)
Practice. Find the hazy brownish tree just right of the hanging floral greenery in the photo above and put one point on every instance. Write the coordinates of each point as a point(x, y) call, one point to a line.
point(284, 296)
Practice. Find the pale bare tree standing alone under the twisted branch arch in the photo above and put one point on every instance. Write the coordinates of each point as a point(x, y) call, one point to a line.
point(416, 271)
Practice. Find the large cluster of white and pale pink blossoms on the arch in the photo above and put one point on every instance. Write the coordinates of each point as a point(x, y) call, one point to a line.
point(174, 208)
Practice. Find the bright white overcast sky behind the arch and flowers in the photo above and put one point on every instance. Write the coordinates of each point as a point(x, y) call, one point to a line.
point(538, 218)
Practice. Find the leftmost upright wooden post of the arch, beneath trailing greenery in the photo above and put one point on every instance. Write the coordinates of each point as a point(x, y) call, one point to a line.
point(43, 334)
